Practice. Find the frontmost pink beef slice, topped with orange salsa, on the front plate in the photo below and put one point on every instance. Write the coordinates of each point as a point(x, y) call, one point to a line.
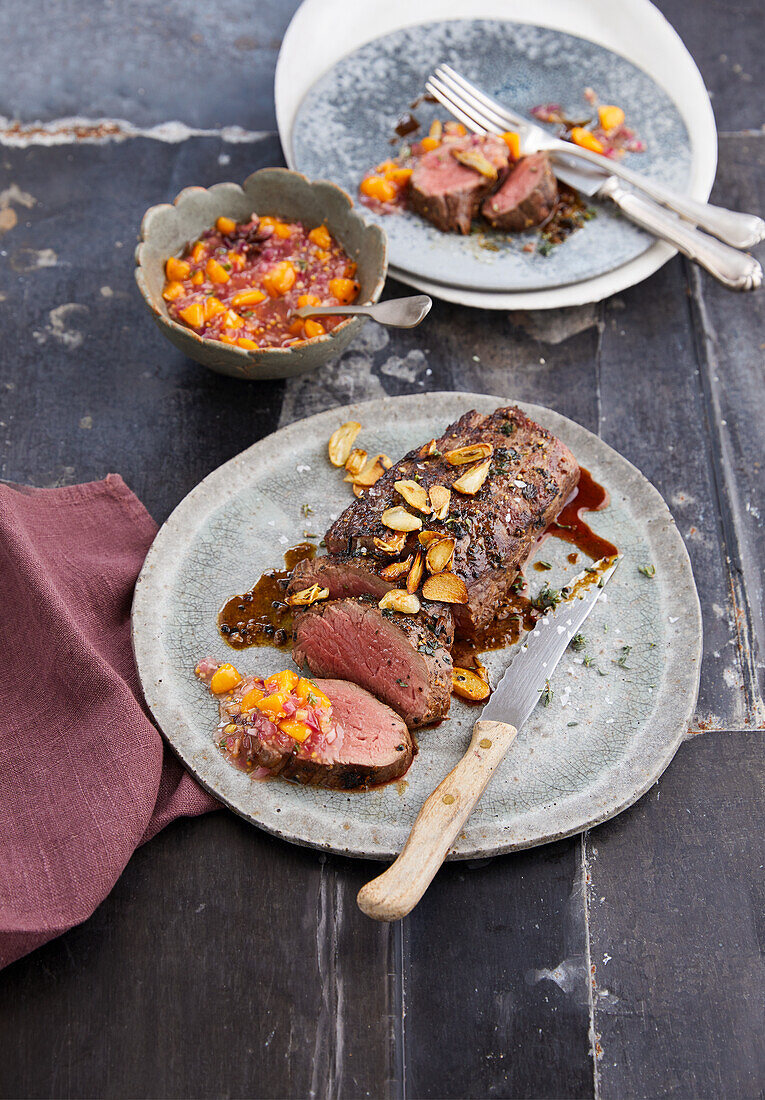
point(367, 744)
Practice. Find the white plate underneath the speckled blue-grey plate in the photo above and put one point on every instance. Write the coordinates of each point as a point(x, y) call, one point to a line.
point(323, 31)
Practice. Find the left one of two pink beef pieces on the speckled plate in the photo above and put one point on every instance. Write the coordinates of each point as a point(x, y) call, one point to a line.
point(449, 193)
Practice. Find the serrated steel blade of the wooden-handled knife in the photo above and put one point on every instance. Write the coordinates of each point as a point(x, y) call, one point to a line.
point(521, 688)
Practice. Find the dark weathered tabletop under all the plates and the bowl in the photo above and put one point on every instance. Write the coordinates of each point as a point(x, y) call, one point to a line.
point(624, 963)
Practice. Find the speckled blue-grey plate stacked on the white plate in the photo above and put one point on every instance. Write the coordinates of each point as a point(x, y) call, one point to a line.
point(345, 123)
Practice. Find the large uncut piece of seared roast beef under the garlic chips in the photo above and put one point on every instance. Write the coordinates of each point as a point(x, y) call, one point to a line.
point(531, 477)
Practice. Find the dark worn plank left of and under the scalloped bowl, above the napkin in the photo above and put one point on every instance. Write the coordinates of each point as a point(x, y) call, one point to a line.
point(92, 386)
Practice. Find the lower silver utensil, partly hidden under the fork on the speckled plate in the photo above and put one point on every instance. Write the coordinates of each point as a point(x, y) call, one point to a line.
point(736, 270)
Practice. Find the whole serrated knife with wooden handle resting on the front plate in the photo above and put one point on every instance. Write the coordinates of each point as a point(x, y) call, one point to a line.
point(397, 892)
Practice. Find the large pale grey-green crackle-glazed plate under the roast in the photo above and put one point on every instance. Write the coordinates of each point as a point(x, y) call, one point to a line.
point(599, 745)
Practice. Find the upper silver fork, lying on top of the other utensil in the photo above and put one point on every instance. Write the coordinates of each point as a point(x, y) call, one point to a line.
point(739, 230)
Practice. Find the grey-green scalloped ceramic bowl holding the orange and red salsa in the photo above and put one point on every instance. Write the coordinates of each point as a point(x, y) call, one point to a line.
point(169, 228)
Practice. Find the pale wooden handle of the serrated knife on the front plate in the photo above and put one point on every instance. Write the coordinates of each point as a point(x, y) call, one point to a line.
point(397, 892)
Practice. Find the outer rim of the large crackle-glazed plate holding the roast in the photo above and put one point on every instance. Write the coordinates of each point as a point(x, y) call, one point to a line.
point(148, 668)
